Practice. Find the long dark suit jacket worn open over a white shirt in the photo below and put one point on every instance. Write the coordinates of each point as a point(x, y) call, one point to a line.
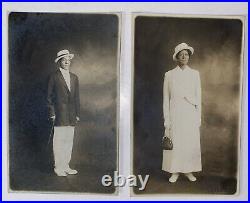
point(62, 103)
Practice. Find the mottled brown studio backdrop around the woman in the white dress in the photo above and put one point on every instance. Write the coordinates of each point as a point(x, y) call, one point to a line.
point(217, 56)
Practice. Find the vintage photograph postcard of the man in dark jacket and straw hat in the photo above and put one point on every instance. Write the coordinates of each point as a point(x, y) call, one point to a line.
point(63, 101)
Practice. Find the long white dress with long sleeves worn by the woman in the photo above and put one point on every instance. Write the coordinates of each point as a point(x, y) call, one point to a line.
point(182, 114)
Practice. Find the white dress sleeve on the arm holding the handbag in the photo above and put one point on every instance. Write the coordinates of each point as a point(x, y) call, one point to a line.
point(166, 102)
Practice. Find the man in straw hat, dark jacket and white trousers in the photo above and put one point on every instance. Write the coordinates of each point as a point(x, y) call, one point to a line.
point(64, 110)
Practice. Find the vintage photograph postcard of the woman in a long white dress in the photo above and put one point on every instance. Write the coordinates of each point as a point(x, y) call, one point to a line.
point(187, 103)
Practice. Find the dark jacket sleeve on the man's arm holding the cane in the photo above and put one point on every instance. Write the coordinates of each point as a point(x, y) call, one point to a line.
point(50, 97)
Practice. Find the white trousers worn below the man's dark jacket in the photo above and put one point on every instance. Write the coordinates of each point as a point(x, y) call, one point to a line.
point(62, 146)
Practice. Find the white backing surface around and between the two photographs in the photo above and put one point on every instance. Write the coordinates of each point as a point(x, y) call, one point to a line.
point(125, 89)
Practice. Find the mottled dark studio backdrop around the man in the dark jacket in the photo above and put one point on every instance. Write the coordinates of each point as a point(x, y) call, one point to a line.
point(34, 40)
